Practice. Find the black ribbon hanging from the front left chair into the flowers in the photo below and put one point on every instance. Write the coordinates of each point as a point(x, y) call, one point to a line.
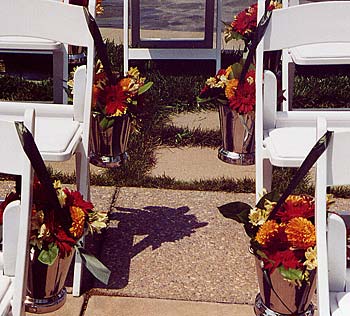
point(38, 164)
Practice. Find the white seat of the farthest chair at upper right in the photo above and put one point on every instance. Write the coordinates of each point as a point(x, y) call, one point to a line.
point(330, 53)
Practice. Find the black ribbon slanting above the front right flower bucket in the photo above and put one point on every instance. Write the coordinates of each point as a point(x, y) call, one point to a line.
point(307, 164)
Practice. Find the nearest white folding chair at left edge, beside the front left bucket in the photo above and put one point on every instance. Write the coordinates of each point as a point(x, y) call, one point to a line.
point(16, 219)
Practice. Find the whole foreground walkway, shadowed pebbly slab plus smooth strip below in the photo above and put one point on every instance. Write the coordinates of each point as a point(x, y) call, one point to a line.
point(171, 254)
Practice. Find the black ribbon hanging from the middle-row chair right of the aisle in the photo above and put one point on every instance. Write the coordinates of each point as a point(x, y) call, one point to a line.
point(258, 35)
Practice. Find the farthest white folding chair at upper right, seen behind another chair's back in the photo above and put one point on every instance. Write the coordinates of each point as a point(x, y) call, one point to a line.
point(306, 55)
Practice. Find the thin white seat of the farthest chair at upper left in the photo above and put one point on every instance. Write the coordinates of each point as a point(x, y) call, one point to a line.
point(27, 43)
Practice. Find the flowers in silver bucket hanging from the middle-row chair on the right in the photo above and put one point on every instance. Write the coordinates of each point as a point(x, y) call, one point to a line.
point(226, 89)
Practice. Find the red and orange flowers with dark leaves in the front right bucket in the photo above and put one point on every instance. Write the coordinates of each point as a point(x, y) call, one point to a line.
point(284, 240)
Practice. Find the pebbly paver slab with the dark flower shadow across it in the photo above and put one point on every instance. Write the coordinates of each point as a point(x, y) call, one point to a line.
point(174, 244)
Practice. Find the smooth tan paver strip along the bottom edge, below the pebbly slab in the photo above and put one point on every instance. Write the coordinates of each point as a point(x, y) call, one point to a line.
point(128, 306)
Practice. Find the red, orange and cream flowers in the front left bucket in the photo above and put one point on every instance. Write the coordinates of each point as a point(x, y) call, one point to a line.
point(55, 232)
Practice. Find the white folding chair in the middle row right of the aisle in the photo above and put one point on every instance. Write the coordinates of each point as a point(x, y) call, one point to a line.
point(283, 138)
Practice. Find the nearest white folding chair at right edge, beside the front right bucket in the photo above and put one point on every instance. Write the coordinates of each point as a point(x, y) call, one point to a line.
point(333, 287)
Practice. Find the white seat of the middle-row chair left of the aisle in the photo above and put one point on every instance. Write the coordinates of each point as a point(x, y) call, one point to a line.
point(57, 137)
